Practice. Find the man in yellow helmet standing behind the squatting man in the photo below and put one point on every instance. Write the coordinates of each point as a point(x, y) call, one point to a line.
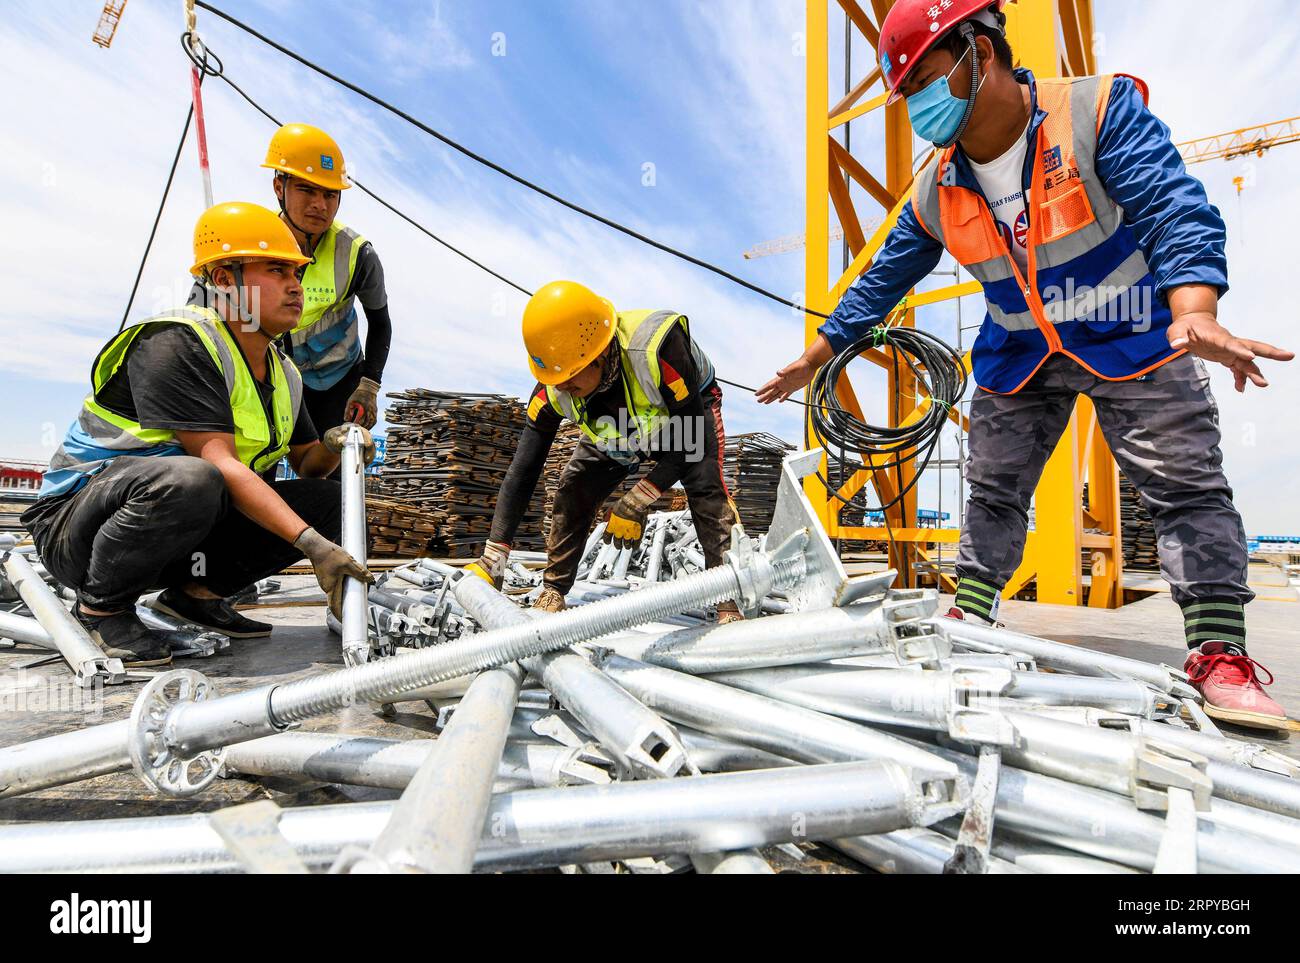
point(341, 383)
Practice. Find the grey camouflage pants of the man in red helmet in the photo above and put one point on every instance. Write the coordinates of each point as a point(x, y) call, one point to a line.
point(1164, 432)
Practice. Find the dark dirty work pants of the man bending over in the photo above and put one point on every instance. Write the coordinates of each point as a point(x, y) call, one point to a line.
point(592, 476)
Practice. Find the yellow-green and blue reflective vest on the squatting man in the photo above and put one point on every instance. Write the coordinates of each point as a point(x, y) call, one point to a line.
point(99, 435)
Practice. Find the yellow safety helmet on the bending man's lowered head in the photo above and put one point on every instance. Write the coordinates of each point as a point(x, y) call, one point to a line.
point(566, 328)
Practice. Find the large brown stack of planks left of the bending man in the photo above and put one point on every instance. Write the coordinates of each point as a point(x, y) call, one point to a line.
point(447, 458)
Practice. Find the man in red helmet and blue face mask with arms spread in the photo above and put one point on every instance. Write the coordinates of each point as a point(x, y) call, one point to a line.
point(1103, 263)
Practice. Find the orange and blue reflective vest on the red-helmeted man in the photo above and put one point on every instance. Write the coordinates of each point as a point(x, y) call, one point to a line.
point(1089, 293)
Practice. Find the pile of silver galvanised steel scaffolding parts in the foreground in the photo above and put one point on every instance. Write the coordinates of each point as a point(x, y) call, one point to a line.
point(631, 734)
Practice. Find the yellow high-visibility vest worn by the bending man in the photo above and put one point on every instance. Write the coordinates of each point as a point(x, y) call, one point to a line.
point(640, 336)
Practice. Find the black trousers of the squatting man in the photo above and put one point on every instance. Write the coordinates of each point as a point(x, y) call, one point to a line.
point(161, 523)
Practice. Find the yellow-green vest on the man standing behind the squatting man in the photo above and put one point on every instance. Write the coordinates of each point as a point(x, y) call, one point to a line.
point(327, 341)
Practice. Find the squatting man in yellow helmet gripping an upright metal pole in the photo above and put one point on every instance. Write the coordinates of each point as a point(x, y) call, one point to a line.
point(166, 480)
